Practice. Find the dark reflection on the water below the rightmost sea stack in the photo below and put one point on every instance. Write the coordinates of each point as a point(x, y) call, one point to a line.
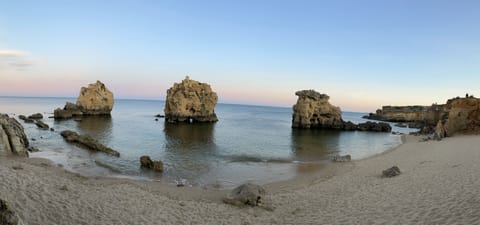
point(314, 144)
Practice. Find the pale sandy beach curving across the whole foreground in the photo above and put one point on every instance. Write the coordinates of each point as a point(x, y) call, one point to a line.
point(439, 184)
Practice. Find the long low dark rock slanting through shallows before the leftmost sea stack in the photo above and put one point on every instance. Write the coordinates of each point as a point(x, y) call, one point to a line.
point(87, 142)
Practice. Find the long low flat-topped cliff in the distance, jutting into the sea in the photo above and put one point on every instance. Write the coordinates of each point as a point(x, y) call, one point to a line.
point(427, 115)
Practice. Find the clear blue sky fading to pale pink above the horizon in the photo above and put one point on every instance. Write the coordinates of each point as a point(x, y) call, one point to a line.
point(363, 54)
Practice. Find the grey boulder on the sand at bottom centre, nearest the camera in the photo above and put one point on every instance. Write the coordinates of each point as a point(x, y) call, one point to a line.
point(246, 194)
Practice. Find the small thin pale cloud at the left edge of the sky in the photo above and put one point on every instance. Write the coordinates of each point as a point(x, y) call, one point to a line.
point(14, 60)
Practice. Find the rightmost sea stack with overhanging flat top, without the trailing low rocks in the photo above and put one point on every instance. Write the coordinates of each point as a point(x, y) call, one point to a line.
point(313, 110)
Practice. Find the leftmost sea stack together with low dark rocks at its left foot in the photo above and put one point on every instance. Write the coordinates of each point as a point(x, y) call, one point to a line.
point(95, 99)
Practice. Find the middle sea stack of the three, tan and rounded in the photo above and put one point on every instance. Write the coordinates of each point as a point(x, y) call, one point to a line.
point(190, 101)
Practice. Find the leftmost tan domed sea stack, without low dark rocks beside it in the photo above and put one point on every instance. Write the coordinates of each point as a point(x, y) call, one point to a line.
point(95, 99)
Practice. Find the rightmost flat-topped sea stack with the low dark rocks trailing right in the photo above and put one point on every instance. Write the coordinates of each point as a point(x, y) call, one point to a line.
point(313, 110)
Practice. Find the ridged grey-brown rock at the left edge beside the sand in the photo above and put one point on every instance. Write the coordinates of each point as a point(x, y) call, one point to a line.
point(13, 140)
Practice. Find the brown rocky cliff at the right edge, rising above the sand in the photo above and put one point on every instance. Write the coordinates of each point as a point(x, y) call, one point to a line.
point(463, 116)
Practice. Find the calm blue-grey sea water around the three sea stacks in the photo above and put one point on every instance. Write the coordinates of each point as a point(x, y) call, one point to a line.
point(249, 143)
